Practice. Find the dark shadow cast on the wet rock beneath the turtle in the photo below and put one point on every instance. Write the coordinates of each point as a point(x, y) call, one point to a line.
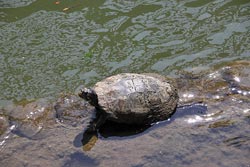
point(88, 138)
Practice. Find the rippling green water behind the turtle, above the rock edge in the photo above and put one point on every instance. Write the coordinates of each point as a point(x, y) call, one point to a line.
point(44, 51)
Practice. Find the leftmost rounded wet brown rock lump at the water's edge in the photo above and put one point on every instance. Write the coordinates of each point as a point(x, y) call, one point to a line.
point(27, 119)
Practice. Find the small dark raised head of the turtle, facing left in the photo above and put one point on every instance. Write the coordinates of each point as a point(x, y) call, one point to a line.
point(89, 95)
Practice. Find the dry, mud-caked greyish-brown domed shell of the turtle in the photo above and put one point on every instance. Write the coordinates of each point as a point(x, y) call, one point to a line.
point(137, 98)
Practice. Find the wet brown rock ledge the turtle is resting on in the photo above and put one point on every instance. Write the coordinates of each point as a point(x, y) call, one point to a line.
point(210, 126)
